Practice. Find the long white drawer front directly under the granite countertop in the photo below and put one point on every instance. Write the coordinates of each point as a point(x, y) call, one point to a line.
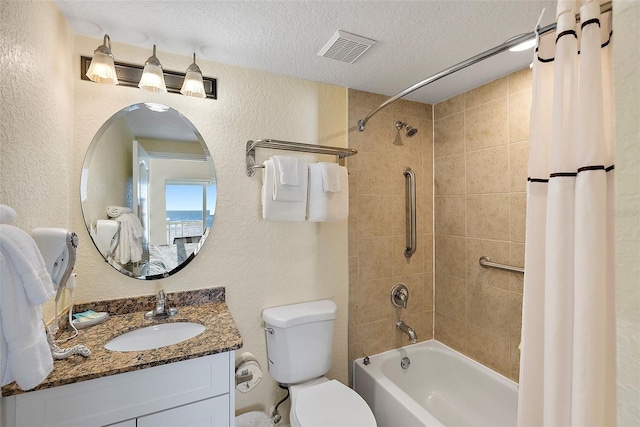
point(129, 395)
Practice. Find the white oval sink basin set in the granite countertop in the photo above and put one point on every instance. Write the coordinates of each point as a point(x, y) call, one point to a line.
point(155, 336)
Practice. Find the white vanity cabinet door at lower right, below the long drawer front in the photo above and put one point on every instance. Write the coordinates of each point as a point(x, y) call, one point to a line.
point(206, 413)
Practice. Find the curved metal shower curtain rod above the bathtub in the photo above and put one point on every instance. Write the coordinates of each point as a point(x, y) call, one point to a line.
point(604, 7)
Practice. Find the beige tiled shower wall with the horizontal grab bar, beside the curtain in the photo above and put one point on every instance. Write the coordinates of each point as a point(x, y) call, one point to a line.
point(481, 149)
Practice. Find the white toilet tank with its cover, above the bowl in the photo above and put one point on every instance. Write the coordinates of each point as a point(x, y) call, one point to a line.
point(299, 340)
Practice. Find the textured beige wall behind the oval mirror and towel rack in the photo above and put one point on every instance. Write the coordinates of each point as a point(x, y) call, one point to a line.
point(53, 118)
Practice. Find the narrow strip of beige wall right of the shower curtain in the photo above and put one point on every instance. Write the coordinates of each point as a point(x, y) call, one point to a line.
point(626, 59)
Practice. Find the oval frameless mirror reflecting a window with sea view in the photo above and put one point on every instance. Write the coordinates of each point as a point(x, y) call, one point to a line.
point(148, 191)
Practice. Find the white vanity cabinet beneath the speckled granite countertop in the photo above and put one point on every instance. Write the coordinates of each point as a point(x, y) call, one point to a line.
point(196, 392)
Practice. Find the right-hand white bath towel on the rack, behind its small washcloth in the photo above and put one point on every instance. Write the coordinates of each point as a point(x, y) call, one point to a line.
point(328, 207)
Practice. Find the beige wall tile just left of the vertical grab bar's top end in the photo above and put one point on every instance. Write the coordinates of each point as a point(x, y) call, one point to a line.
point(375, 175)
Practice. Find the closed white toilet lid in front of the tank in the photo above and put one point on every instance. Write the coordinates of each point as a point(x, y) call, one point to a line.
point(332, 404)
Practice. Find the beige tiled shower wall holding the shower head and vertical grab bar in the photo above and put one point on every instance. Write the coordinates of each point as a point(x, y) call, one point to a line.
point(377, 224)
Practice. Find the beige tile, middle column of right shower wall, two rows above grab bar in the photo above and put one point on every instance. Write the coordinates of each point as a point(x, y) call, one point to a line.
point(487, 171)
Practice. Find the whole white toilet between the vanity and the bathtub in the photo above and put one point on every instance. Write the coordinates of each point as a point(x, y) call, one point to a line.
point(299, 342)
